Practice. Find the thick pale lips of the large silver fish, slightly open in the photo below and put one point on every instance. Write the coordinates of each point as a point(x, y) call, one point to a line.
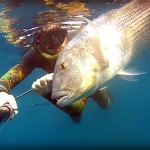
point(64, 98)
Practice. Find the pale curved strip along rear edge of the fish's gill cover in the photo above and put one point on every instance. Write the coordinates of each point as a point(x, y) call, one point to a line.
point(103, 61)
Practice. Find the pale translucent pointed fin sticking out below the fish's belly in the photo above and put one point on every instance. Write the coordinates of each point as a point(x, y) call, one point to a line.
point(130, 74)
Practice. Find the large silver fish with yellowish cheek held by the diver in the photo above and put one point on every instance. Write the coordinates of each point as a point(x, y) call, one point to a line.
point(100, 51)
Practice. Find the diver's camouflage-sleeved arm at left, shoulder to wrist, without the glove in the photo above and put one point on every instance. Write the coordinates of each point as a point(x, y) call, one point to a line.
point(16, 74)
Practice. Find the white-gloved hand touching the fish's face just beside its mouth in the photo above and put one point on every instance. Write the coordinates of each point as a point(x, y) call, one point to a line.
point(43, 85)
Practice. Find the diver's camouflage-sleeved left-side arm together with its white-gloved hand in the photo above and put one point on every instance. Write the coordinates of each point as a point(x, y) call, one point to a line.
point(14, 76)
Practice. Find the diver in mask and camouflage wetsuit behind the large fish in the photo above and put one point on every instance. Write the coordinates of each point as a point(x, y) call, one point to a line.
point(43, 54)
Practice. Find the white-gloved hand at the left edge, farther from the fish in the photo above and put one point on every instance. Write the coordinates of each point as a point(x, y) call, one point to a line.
point(6, 98)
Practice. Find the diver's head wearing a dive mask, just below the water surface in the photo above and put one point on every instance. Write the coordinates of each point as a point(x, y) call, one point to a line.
point(49, 42)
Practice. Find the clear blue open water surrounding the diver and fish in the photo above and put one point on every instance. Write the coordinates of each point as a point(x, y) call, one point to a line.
point(126, 123)
